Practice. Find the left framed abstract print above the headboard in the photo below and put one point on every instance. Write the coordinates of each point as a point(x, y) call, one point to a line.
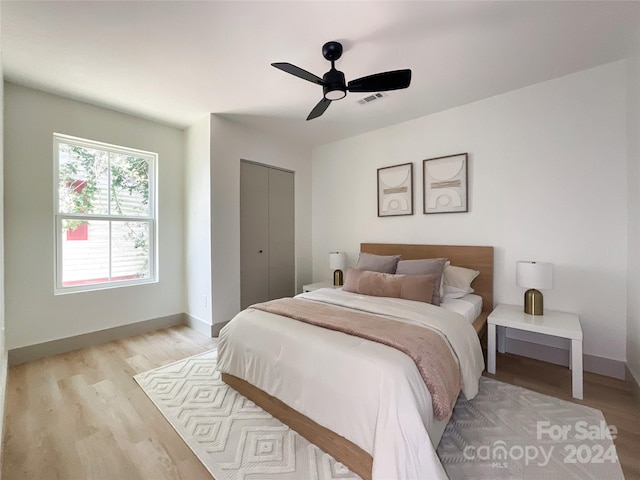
point(395, 190)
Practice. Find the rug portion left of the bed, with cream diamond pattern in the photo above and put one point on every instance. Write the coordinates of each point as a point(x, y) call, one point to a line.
point(230, 435)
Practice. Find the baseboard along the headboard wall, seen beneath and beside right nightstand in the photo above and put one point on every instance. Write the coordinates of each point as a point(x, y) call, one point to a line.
point(560, 356)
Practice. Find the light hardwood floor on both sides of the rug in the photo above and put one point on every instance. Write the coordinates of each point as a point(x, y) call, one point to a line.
point(81, 415)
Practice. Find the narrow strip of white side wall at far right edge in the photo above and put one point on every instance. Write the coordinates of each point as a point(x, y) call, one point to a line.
point(633, 282)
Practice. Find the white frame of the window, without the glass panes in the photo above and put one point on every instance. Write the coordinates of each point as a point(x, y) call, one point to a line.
point(59, 217)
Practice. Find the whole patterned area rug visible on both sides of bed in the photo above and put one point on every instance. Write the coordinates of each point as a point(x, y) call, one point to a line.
point(506, 432)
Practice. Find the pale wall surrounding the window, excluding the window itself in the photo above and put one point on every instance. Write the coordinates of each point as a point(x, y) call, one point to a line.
point(33, 313)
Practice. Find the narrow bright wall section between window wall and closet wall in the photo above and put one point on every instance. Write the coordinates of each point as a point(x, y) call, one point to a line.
point(198, 223)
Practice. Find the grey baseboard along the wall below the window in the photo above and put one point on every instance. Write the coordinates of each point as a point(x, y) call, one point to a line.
point(54, 347)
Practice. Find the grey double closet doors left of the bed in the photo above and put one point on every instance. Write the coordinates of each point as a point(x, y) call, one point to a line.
point(267, 258)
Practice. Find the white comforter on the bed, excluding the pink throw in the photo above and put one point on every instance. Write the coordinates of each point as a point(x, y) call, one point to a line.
point(369, 393)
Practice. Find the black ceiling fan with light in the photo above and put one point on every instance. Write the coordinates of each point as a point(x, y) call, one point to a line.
point(333, 83)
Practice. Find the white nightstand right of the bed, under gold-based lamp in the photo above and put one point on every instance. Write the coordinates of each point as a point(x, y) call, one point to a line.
point(559, 324)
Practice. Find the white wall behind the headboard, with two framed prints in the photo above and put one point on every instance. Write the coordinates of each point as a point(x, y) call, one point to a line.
point(547, 182)
